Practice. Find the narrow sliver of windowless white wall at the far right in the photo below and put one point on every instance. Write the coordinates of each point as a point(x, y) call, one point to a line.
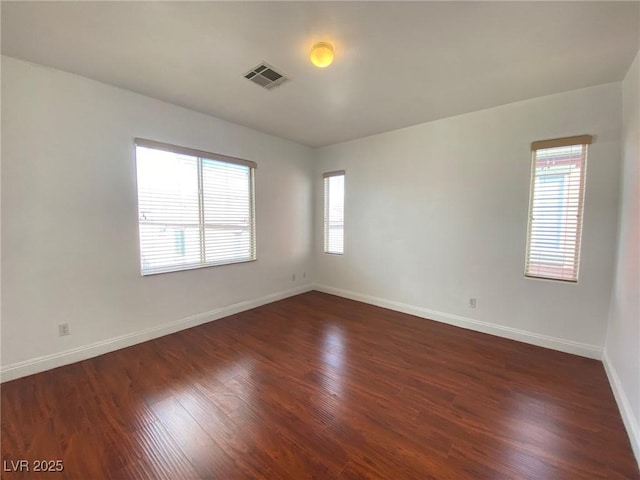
point(622, 349)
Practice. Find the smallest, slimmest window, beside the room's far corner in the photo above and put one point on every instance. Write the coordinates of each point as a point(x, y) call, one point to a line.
point(334, 212)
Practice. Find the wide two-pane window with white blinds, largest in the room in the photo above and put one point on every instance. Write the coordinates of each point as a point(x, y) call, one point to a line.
point(195, 209)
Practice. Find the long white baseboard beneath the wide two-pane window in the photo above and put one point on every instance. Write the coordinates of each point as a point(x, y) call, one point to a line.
point(47, 362)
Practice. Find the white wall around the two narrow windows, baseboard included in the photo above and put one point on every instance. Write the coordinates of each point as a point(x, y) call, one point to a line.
point(437, 213)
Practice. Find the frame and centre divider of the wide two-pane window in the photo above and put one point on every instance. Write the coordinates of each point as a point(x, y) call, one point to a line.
point(200, 156)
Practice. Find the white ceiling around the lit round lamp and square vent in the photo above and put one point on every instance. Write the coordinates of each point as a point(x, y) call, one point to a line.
point(397, 64)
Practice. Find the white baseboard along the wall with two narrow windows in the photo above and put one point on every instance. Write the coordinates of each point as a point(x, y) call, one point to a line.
point(567, 346)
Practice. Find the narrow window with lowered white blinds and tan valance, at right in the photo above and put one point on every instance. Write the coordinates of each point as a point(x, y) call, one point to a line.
point(555, 208)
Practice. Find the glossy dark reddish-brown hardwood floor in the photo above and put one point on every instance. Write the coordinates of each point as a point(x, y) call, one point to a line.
point(317, 386)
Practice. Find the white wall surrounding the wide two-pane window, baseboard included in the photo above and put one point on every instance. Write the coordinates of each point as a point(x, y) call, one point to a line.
point(69, 214)
